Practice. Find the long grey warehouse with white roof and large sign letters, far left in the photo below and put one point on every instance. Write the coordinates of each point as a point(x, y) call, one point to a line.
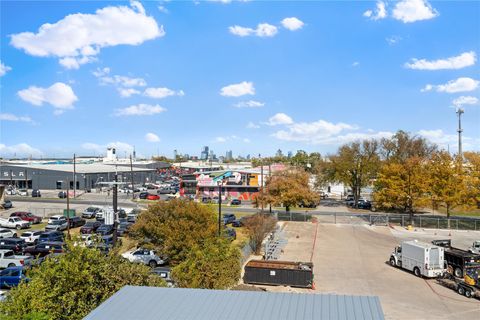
point(84, 176)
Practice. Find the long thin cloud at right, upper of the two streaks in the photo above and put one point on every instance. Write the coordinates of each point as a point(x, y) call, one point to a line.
point(466, 59)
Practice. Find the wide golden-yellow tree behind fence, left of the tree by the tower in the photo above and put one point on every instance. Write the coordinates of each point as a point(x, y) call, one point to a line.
point(402, 185)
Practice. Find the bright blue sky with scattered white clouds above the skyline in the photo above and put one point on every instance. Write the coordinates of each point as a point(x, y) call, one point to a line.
point(252, 77)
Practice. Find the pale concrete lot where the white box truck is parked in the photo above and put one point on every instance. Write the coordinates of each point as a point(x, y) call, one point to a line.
point(352, 259)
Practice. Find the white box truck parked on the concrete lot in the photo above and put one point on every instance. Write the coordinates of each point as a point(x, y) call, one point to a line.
point(423, 259)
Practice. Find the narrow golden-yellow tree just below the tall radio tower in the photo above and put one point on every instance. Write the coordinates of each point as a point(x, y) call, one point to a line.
point(447, 181)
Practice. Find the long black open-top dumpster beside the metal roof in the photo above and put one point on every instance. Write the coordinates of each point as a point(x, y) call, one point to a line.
point(286, 273)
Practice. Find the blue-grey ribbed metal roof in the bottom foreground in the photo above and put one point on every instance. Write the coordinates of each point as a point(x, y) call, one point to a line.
point(155, 303)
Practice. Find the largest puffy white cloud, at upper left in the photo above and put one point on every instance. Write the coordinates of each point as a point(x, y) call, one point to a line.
point(78, 38)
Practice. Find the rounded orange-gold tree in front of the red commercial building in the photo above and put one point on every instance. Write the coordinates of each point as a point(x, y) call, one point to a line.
point(289, 187)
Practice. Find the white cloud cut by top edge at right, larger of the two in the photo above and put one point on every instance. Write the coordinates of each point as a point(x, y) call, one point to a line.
point(409, 11)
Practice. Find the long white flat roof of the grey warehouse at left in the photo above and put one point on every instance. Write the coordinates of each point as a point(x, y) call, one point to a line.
point(82, 167)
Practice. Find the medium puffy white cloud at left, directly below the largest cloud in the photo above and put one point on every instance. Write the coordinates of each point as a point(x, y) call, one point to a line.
point(59, 95)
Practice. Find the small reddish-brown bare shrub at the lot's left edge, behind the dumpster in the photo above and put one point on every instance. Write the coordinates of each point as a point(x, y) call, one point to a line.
point(259, 226)
